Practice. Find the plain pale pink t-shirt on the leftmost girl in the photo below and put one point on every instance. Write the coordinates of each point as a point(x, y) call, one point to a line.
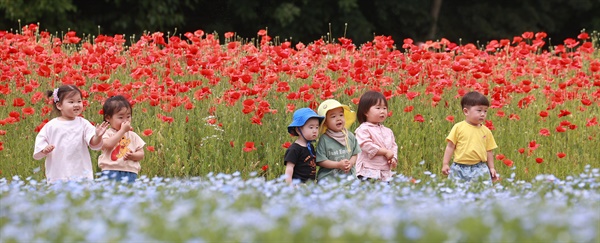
point(70, 159)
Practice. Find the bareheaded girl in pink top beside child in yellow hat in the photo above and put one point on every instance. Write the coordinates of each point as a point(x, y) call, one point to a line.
point(378, 144)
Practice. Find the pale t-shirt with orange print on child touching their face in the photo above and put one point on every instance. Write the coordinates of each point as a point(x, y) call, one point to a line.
point(112, 159)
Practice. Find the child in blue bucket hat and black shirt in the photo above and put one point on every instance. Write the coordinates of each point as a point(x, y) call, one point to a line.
point(299, 159)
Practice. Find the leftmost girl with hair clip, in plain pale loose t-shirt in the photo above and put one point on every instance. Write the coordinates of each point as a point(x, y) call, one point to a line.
point(64, 141)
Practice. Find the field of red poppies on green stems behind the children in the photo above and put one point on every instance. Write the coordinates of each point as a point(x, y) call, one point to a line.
point(214, 103)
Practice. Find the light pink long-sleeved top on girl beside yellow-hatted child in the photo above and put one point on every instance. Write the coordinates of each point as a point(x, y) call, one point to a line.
point(371, 137)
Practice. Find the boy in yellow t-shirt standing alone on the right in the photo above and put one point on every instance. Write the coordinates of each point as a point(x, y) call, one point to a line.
point(471, 142)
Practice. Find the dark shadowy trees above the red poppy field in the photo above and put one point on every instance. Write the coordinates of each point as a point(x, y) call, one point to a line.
point(308, 20)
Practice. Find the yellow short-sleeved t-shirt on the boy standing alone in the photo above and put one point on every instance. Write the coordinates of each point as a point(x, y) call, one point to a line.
point(471, 143)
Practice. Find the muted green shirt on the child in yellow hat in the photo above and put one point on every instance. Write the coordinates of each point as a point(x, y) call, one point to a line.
point(330, 149)
